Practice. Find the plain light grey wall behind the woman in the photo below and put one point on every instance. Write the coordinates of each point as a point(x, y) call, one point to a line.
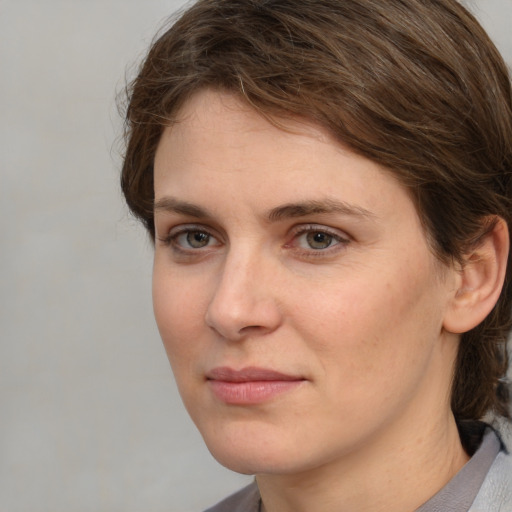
point(89, 416)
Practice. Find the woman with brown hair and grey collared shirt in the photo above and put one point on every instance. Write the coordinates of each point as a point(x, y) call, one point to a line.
point(328, 186)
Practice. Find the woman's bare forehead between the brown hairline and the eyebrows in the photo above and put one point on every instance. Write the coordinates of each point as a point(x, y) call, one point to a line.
point(219, 147)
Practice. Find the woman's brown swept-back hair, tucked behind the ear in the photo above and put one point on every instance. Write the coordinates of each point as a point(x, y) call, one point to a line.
point(415, 85)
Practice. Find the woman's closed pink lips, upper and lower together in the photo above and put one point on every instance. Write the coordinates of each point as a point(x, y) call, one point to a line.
point(251, 385)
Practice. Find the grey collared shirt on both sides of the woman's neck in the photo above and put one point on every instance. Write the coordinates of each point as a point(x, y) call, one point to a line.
point(458, 495)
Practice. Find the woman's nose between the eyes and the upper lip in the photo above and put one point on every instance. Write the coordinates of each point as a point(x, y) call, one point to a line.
point(244, 302)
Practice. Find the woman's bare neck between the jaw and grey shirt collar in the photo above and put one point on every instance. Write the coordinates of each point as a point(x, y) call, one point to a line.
point(399, 471)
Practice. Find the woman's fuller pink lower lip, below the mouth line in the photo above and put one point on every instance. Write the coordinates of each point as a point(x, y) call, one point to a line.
point(252, 392)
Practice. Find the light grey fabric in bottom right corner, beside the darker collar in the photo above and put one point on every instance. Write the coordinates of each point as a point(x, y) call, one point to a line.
point(495, 495)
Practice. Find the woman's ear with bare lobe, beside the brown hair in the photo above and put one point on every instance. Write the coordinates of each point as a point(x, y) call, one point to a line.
point(480, 280)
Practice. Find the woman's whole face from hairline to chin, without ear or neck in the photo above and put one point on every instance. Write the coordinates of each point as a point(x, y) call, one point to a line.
point(300, 306)
